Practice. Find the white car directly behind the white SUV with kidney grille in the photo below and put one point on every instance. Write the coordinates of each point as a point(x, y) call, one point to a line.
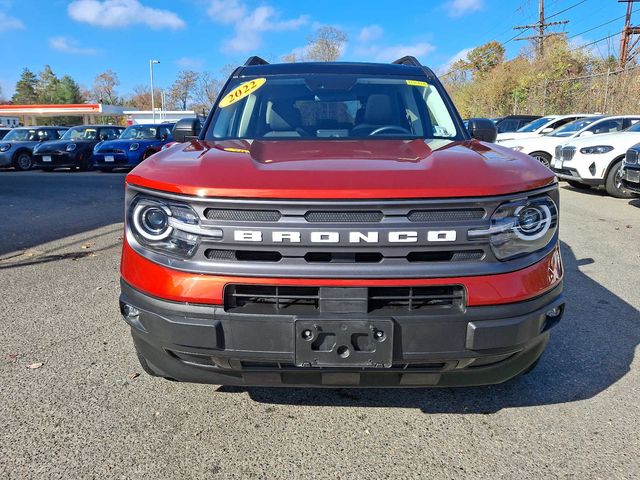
point(542, 148)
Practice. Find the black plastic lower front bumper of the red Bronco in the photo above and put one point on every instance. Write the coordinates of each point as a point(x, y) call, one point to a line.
point(206, 344)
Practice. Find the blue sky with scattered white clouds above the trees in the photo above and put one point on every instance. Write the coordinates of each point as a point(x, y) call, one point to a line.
point(82, 38)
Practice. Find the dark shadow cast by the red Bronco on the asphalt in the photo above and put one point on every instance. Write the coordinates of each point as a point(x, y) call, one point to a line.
point(590, 349)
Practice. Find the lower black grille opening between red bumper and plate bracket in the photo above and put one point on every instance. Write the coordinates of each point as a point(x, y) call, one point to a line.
point(289, 300)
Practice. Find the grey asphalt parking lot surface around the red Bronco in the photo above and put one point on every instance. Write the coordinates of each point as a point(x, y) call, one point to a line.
point(90, 412)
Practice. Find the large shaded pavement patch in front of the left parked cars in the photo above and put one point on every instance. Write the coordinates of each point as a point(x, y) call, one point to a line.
point(42, 207)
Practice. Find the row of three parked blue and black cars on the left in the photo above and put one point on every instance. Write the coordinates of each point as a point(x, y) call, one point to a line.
point(105, 147)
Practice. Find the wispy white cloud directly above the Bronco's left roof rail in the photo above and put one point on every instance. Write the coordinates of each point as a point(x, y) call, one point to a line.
point(249, 25)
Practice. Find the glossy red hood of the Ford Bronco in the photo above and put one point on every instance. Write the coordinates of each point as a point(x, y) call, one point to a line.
point(340, 169)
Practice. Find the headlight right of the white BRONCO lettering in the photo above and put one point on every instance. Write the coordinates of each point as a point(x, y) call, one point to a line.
point(521, 227)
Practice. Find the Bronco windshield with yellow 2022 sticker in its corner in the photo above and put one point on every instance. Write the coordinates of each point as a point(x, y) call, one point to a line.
point(331, 107)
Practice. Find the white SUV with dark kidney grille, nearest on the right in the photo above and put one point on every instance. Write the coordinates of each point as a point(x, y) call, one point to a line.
point(596, 161)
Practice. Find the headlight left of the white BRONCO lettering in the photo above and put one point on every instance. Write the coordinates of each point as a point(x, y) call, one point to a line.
point(167, 227)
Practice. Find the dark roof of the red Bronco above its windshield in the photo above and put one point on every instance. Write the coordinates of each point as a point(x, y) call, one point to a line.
point(340, 68)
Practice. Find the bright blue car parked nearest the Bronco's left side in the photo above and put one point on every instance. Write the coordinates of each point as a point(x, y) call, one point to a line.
point(136, 143)
